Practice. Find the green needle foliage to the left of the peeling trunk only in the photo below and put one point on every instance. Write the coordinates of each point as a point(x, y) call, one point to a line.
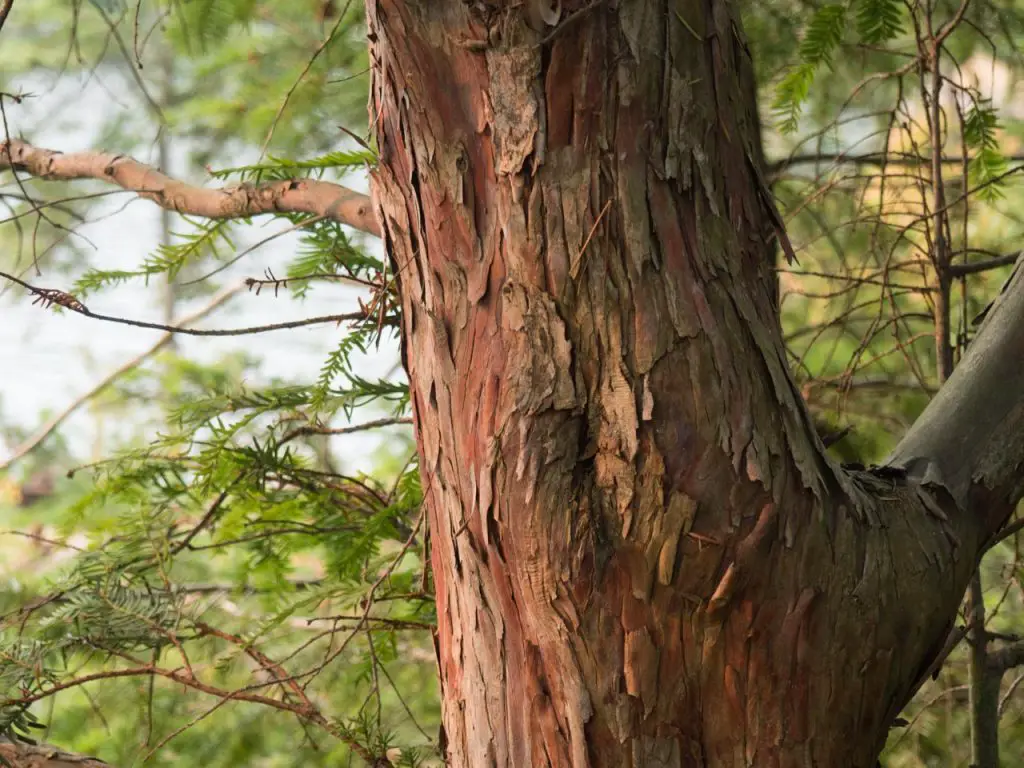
point(227, 539)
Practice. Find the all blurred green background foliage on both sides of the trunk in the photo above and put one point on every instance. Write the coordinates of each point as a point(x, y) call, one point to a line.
point(227, 538)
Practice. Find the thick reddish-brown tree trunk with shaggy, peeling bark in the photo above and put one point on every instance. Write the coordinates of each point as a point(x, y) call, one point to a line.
point(643, 556)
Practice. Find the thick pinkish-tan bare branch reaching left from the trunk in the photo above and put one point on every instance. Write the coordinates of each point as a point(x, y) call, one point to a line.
point(242, 201)
